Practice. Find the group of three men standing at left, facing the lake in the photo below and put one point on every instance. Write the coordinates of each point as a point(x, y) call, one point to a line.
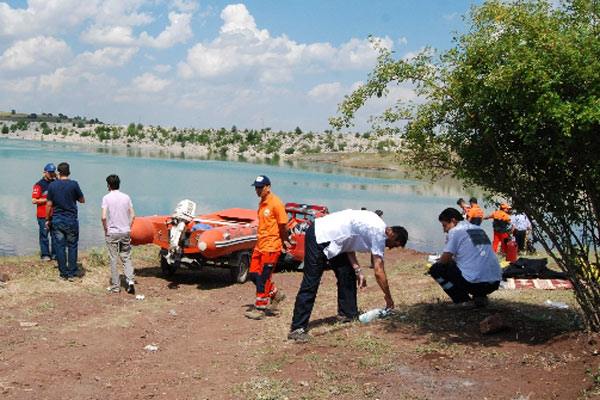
point(56, 197)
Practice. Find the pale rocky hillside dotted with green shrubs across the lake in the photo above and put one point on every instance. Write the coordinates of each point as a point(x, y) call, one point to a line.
point(264, 143)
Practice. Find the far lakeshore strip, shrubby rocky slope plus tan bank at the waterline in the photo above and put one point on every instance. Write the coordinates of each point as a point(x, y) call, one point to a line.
point(350, 151)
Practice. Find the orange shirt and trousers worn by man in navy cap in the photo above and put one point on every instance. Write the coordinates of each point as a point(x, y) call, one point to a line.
point(271, 213)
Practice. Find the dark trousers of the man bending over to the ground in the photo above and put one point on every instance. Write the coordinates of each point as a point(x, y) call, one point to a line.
point(315, 263)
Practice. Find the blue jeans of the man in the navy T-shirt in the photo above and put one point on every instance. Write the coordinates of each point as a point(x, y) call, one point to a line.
point(66, 236)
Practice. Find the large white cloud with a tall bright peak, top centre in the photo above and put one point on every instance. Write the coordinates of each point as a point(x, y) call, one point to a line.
point(244, 48)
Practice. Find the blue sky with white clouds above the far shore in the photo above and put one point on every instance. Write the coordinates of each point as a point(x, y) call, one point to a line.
point(209, 64)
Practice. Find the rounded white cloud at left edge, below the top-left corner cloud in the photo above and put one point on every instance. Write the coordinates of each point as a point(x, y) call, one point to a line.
point(37, 53)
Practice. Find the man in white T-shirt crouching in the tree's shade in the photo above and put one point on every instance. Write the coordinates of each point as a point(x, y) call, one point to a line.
point(468, 266)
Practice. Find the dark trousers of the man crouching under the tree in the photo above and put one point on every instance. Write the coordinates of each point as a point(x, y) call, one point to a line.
point(456, 286)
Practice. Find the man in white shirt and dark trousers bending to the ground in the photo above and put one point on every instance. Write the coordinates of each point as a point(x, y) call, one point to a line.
point(332, 241)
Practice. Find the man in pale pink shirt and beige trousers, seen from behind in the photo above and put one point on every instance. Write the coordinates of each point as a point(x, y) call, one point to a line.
point(117, 219)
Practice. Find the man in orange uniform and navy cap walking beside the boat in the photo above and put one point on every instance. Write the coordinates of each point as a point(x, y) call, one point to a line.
point(272, 236)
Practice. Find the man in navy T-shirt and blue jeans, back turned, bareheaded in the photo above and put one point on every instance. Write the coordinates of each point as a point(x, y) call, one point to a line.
point(61, 219)
